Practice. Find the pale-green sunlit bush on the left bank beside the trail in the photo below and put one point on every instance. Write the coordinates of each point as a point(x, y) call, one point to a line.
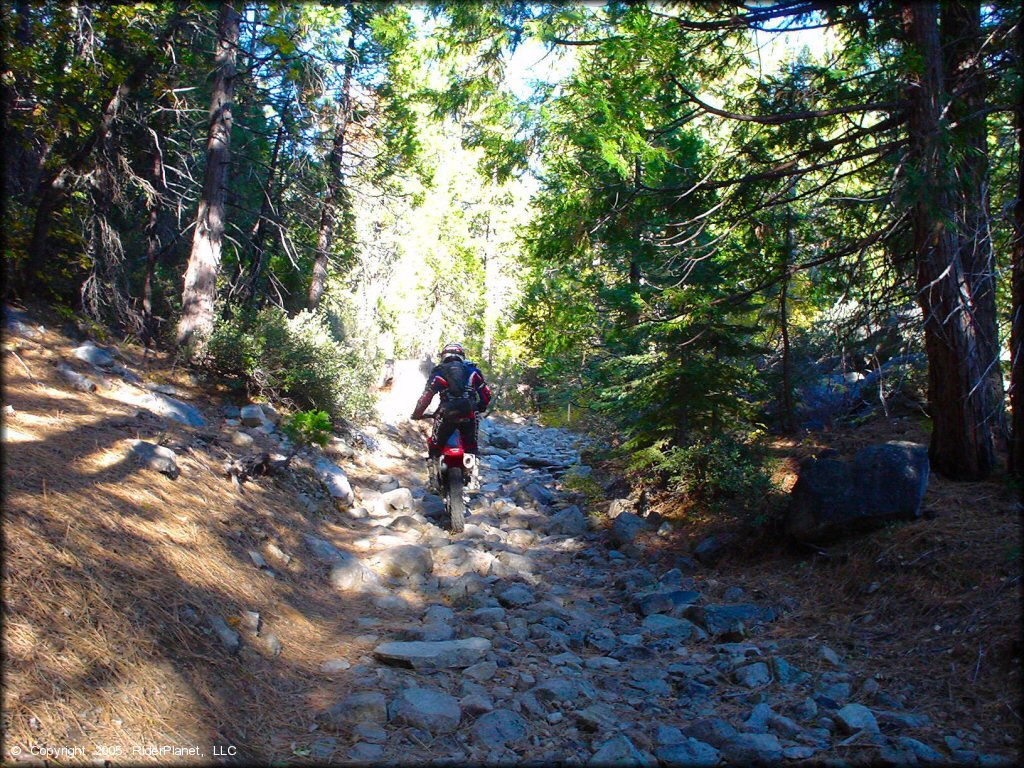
point(297, 360)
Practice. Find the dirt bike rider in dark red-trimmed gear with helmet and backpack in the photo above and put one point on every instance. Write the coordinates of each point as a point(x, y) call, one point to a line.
point(464, 396)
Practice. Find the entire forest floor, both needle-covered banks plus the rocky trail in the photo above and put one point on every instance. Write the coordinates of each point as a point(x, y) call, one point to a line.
point(123, 589)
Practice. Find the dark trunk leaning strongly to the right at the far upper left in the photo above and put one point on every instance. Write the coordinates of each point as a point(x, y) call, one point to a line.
point(53, 189)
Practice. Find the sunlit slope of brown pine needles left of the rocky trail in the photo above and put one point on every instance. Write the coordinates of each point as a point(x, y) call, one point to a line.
point(106, 561)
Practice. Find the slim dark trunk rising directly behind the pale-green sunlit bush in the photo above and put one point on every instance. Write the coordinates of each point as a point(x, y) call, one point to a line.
point(337, 196)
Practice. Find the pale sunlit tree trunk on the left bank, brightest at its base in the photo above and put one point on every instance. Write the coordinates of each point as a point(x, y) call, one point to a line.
point(200, 291)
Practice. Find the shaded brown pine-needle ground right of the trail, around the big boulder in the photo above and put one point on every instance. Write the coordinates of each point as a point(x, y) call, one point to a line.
point(932, 608)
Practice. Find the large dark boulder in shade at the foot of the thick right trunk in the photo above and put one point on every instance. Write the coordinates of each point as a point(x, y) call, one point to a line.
point(833, 499)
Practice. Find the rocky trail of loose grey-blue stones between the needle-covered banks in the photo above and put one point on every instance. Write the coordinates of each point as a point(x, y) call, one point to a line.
point(548, 642)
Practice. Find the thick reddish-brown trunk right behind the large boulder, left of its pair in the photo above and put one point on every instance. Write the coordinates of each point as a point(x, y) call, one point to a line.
point(962, 442)
